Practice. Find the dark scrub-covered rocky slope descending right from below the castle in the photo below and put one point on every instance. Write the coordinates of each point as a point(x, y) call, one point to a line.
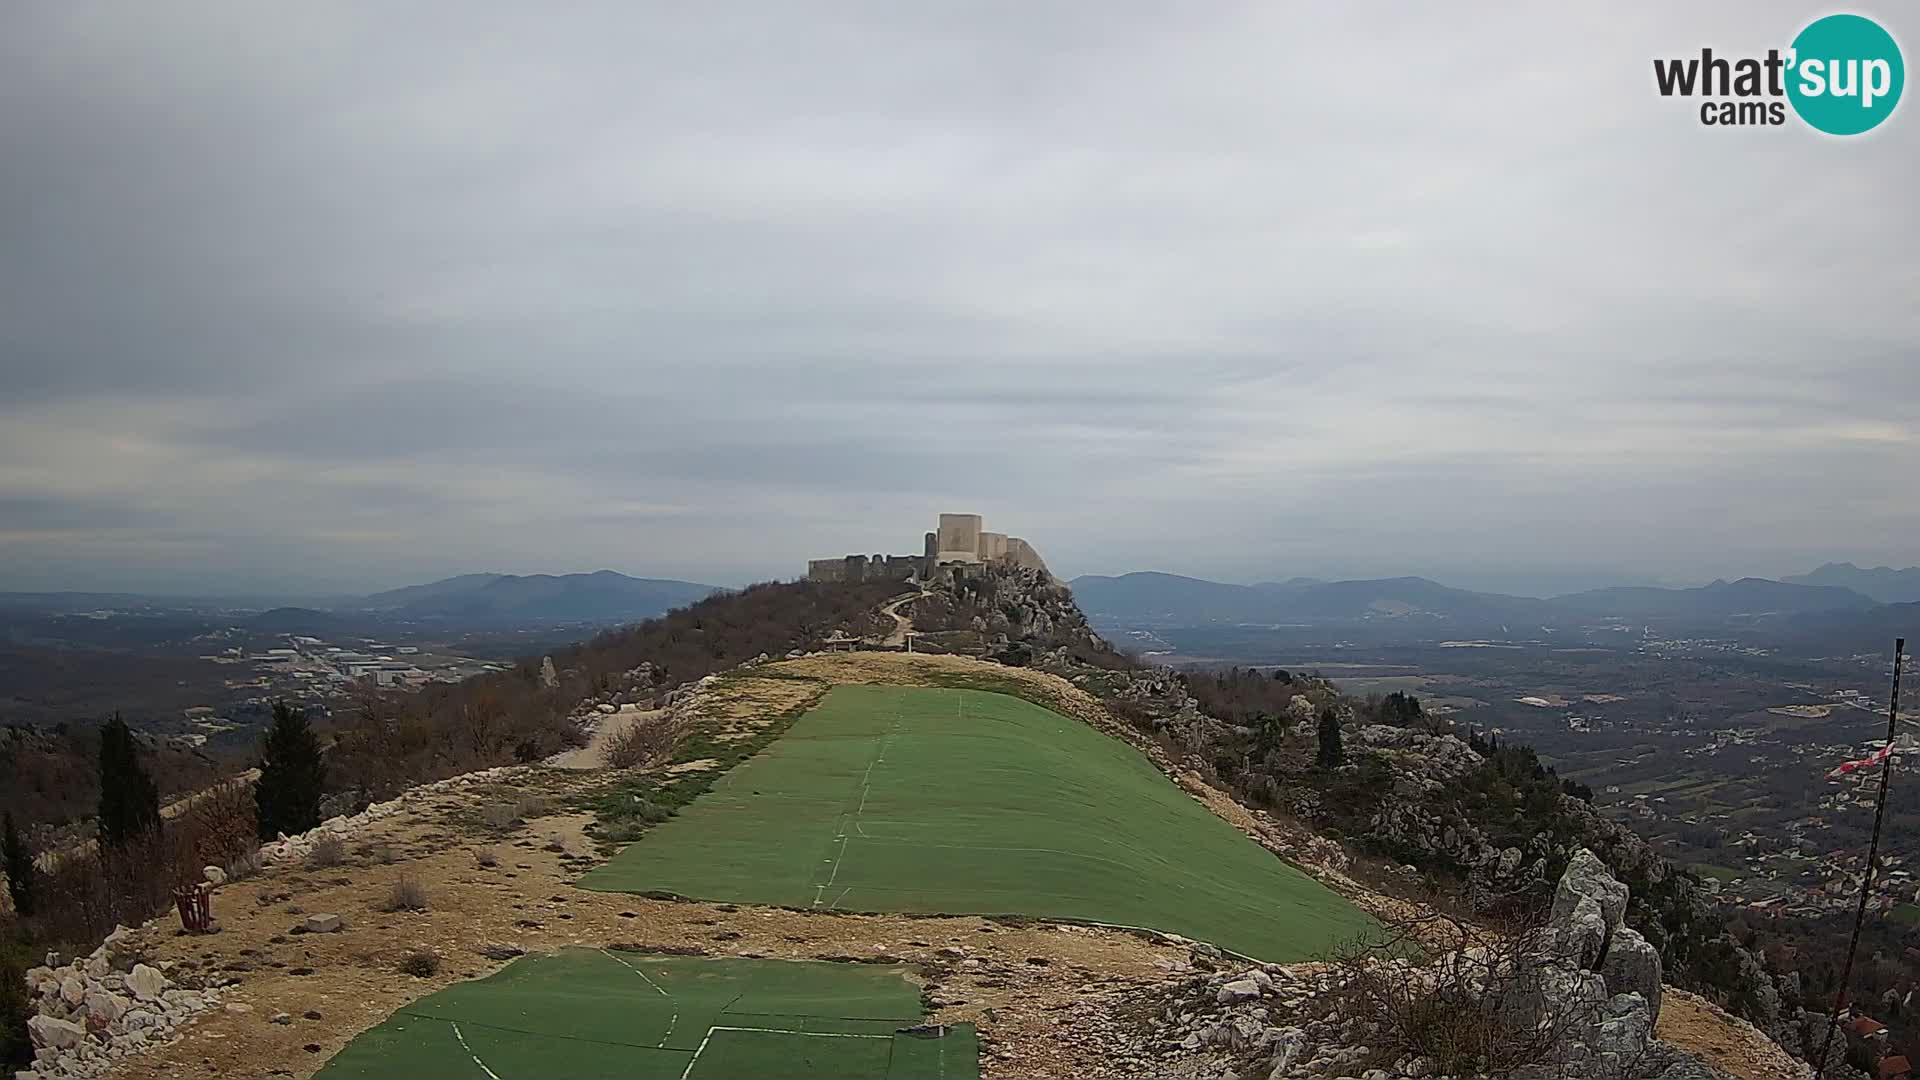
point(1485, 823)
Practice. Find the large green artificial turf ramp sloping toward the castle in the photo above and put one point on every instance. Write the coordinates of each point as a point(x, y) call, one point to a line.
point(890, 798)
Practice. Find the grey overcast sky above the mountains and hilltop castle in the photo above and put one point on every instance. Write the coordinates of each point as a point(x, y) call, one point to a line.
point(354, 295)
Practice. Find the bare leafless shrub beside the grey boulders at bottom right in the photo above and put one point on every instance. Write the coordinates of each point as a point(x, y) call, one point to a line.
point(1477, 1008)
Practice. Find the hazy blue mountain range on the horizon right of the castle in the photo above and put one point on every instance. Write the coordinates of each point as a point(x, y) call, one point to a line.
point(1172, 601)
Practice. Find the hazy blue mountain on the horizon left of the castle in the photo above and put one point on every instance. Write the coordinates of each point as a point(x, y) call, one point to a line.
point(600, 597)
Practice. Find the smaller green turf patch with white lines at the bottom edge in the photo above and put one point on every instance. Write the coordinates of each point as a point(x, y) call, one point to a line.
point(615, 1016)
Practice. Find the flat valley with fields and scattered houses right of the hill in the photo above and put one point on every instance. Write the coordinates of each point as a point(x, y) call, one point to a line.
point(1714, 750)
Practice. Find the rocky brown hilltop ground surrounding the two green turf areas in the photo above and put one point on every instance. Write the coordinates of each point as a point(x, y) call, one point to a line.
point(448, 881)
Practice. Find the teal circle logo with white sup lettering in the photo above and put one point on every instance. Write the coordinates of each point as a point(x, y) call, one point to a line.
point(1846, 74)
